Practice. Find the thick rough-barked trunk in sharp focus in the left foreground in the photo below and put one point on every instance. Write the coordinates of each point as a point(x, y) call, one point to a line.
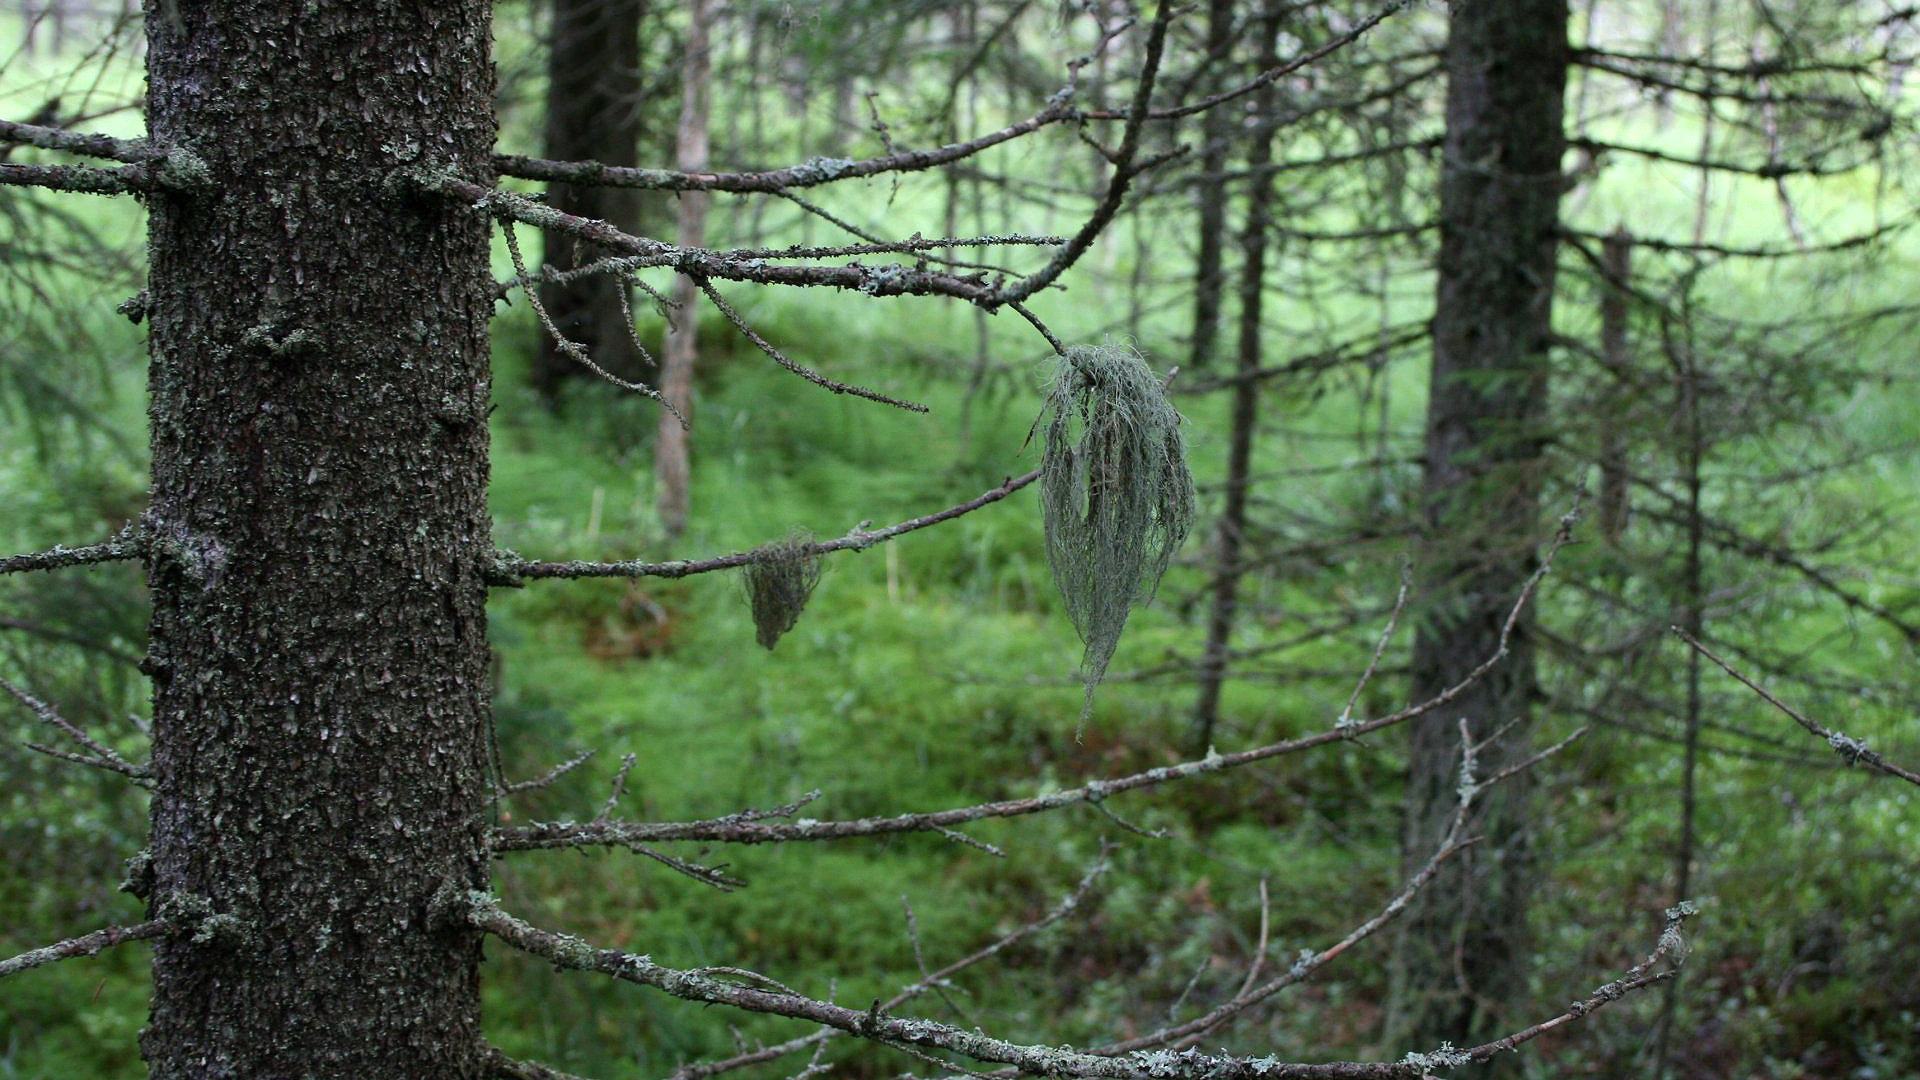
point(320, 391)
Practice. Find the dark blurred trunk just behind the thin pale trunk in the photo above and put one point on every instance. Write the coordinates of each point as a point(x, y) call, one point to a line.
point(592, 114)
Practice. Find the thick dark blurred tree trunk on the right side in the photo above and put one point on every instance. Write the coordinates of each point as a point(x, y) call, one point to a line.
point(1460, 952)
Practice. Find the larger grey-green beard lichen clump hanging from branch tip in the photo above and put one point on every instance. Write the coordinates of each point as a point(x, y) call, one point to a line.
point(1115, 493)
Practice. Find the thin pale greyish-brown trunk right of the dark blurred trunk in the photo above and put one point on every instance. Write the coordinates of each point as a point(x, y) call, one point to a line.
point(671, 456)
